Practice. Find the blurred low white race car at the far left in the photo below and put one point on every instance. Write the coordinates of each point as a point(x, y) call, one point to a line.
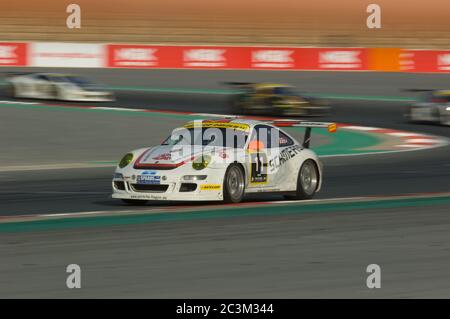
point(63, 87)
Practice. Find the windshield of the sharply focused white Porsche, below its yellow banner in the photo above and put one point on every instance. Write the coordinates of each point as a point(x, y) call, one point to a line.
point(211, 136)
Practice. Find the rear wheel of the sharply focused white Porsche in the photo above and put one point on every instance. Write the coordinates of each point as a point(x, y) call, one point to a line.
point(307, 181)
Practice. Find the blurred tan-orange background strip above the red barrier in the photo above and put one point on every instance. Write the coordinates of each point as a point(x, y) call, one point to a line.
point(405, 23)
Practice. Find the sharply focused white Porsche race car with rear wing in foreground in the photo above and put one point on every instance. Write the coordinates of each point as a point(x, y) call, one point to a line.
point(222, 159)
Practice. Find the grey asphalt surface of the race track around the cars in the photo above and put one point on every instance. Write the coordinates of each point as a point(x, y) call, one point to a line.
point(304, 255)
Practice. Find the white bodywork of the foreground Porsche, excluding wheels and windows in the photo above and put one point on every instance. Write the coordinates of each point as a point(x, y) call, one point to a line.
point(282, 168)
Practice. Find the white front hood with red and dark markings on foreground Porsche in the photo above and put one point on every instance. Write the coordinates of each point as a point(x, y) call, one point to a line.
point(171, 156)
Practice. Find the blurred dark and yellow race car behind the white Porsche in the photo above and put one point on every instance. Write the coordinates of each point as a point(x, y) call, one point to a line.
point(274, 99)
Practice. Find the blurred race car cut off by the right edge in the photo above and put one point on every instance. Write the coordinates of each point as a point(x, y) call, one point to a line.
point(433, 106)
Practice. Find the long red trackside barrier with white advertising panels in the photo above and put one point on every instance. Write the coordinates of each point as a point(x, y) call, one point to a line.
point(63, 54)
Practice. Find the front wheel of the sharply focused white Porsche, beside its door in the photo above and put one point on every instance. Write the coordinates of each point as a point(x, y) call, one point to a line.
point(234, 184)
